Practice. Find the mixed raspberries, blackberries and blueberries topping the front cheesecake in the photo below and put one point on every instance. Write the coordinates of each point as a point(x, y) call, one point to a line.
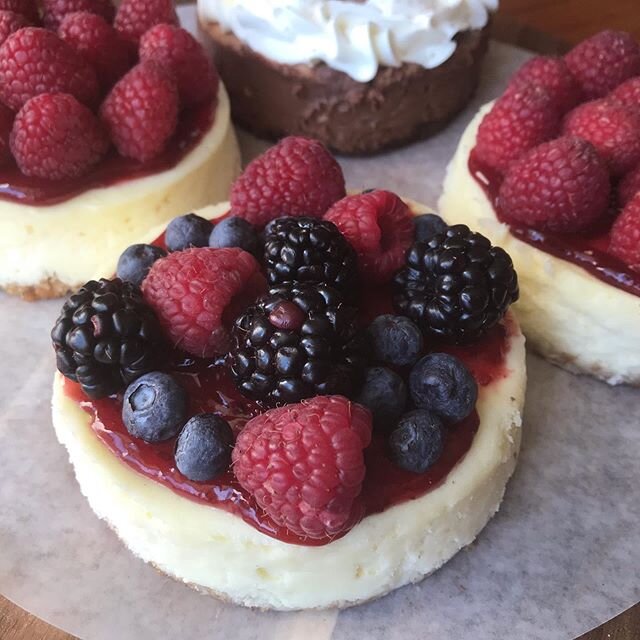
point(276, 300)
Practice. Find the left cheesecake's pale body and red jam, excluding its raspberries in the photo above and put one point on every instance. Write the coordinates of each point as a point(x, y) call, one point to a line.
point(54, 236)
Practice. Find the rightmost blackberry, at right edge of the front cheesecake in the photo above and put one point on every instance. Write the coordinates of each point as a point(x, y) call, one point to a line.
point(456, 285)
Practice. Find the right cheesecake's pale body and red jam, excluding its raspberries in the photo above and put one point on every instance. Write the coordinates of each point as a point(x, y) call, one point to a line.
point(578, 309)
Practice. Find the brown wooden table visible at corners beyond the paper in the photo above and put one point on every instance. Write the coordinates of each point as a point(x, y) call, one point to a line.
point(542, 25)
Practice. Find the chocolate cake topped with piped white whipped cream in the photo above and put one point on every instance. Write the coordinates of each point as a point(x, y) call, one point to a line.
point(359, 75)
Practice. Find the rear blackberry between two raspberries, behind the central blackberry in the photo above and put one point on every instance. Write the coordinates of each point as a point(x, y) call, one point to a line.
point(308, 250)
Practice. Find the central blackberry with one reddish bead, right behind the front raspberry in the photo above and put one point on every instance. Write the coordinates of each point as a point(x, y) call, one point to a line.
point(298, 341)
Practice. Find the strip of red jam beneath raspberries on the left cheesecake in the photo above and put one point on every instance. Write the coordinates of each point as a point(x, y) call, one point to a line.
point(113, 169)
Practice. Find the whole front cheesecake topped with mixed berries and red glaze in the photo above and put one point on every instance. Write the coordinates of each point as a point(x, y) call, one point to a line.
point(299, 398)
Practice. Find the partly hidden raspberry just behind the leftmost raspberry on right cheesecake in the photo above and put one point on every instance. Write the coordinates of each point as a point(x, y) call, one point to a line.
point(553, 75)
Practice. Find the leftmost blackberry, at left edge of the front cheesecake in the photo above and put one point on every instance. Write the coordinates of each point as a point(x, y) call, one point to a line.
point(106, 337)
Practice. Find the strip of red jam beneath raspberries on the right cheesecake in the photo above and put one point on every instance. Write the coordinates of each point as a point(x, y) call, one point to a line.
point(589, 251)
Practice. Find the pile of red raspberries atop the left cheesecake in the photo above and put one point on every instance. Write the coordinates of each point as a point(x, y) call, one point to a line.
point(86, 78)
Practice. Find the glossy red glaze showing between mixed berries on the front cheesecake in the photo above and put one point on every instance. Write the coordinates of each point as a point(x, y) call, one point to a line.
point(211, 389)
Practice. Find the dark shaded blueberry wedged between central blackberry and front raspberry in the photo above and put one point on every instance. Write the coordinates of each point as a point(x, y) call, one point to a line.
point(384, 393)
